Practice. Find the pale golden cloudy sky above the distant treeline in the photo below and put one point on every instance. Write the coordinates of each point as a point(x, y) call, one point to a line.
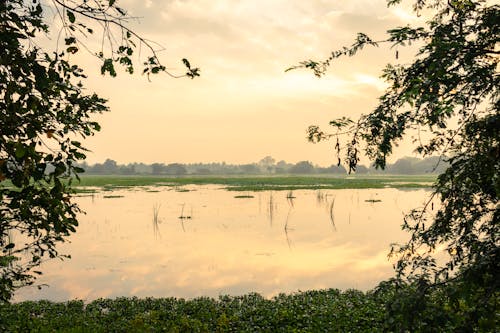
point(244, 106)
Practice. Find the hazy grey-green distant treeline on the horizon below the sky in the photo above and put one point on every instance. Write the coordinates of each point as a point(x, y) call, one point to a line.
point(266, 166)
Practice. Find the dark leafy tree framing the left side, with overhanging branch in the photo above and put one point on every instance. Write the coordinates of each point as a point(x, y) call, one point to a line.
point(43, 110)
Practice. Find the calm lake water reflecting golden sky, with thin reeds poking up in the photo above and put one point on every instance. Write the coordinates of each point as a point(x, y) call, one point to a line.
point(267, 244)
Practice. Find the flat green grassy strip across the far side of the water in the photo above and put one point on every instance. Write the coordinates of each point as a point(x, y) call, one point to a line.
point(256, 183)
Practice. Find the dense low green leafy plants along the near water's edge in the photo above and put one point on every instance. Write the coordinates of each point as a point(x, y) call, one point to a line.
point(310, 311)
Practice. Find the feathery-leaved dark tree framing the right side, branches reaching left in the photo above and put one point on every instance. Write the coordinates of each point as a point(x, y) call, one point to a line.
point(452, 80)
